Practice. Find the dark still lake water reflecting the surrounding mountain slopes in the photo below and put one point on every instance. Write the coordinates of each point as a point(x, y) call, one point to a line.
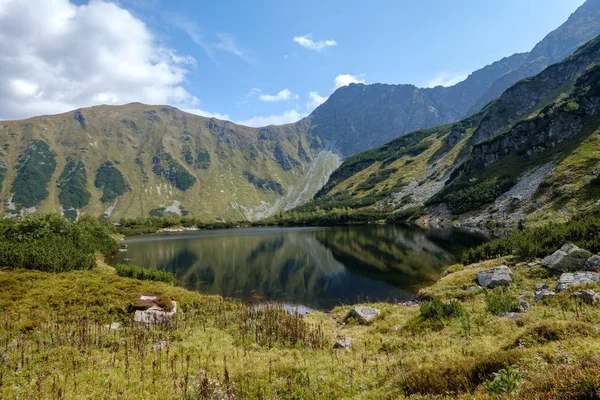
point(316, 267)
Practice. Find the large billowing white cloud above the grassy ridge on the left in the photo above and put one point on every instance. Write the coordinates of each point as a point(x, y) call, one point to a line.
point(56, 56)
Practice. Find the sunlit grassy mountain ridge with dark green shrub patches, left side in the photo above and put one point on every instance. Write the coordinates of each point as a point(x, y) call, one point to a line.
point(140, 160)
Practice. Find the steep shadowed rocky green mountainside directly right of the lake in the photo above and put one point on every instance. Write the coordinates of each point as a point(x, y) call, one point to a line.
point(529, 155)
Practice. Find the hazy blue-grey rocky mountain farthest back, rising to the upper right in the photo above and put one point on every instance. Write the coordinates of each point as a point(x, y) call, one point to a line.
point(359, 117)
